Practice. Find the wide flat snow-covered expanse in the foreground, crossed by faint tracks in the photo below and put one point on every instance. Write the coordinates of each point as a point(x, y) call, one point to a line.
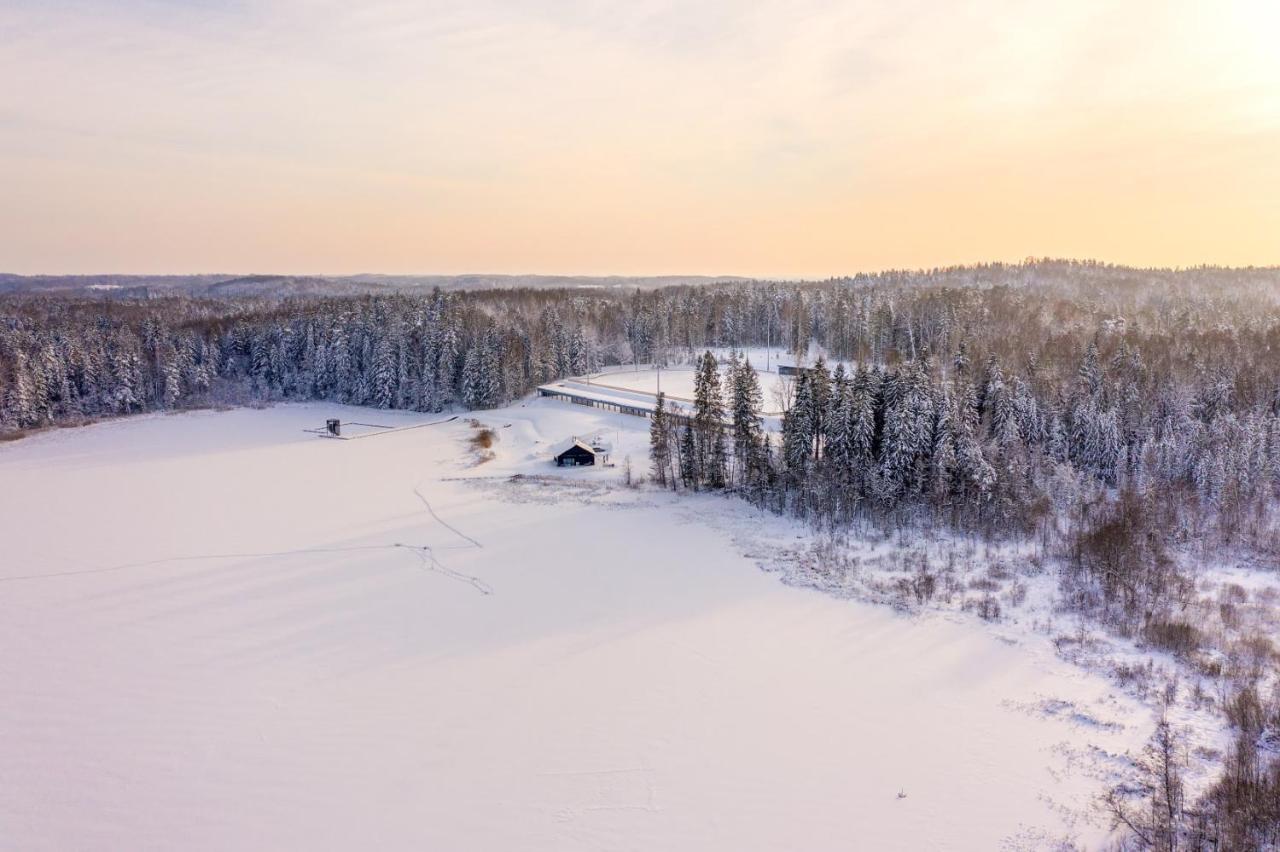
point(222, 633)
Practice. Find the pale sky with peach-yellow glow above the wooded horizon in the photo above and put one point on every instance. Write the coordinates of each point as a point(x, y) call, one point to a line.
point(776, 139)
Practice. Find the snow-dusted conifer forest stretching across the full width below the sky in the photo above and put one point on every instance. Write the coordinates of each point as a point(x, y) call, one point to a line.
point(1118, 416)
